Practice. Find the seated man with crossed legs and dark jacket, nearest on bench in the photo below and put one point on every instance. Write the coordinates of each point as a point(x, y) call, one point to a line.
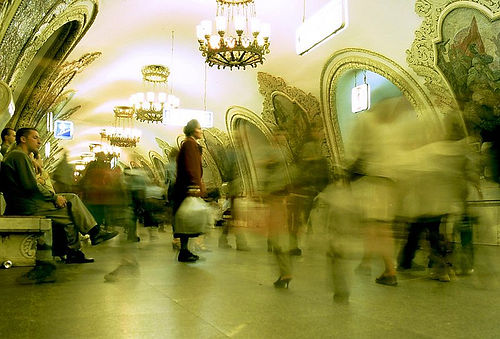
point(25, 196)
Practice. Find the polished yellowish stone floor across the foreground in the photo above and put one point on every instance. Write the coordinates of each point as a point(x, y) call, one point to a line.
point(229, 293)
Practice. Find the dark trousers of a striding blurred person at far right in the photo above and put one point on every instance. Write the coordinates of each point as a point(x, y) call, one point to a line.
point(415, 230)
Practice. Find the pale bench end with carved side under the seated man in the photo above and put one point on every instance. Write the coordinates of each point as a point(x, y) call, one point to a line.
point(18, 238)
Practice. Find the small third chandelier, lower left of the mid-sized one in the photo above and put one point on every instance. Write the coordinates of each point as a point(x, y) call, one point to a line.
point(122, 134)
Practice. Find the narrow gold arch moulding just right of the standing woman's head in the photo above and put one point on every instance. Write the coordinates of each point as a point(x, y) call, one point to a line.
point(233, 116)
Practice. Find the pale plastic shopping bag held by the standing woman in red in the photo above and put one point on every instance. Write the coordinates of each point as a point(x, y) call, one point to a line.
point(193, 216)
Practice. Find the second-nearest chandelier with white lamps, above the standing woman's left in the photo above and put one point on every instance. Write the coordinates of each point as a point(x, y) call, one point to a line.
point(149, 106)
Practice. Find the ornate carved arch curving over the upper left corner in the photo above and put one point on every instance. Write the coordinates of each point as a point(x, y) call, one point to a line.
point(32, 28)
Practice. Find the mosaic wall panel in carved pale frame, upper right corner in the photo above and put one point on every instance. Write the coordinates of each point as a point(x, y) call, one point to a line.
point(442, 51)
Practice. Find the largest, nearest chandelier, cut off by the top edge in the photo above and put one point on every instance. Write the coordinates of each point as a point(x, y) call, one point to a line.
point(241, 39)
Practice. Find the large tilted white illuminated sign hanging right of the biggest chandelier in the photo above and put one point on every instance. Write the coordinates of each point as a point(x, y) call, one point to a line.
point(329, 20)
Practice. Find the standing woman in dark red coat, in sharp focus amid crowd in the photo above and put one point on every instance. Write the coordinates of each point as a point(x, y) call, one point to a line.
point(188, 182)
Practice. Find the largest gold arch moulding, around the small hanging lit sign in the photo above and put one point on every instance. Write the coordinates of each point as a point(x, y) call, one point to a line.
point(355, 58)
